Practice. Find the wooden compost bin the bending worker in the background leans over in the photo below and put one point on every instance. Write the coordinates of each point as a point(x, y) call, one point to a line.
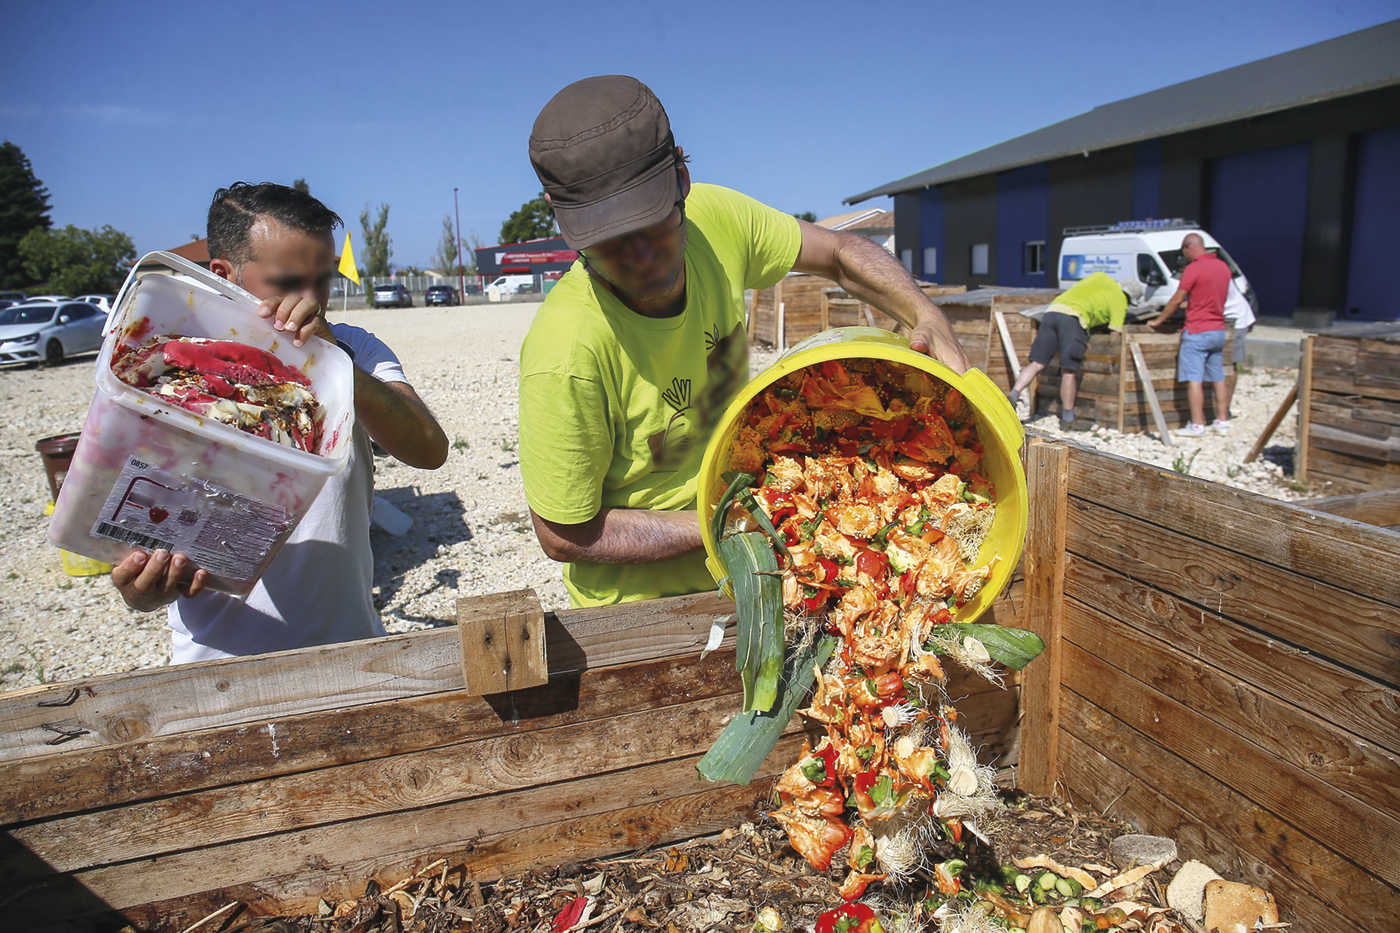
point(1112, 394)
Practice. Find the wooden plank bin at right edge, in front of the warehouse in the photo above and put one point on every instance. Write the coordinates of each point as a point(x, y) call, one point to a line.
point(1350, 411)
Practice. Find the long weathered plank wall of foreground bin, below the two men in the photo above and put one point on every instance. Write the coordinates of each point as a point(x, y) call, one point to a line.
point(282, 780)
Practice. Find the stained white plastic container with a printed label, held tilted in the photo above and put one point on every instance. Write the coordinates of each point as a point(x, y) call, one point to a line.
point(150, 476)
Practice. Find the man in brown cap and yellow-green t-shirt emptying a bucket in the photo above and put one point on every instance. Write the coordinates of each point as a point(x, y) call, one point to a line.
point(639, 350)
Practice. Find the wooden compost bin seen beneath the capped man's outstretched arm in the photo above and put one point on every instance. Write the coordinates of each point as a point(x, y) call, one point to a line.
point(800, 306)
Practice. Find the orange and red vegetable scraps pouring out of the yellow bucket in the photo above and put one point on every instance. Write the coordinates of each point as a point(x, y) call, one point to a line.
point(867, 478)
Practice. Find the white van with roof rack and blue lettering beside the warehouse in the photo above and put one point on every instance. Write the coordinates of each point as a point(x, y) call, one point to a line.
point(1146, 250)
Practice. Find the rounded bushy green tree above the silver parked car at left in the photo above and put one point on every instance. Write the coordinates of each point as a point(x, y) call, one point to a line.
point(75, 261)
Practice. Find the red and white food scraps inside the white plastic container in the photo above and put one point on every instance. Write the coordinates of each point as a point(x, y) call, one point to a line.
point(232, 383)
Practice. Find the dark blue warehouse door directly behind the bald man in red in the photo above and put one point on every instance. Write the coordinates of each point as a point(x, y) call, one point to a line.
point(1259, 211)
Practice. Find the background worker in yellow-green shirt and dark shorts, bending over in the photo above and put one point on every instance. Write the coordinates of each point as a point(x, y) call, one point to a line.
point(1065, 330)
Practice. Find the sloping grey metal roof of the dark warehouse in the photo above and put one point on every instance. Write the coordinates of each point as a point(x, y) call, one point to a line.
point(1338, 68)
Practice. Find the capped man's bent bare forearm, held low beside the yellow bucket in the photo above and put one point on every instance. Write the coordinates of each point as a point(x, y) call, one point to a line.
point(621, 536)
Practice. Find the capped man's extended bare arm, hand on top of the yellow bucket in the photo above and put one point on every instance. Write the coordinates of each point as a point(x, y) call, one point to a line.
point(873, 275)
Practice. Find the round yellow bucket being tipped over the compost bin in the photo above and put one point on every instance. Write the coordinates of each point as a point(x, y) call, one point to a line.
point(997, 427)
